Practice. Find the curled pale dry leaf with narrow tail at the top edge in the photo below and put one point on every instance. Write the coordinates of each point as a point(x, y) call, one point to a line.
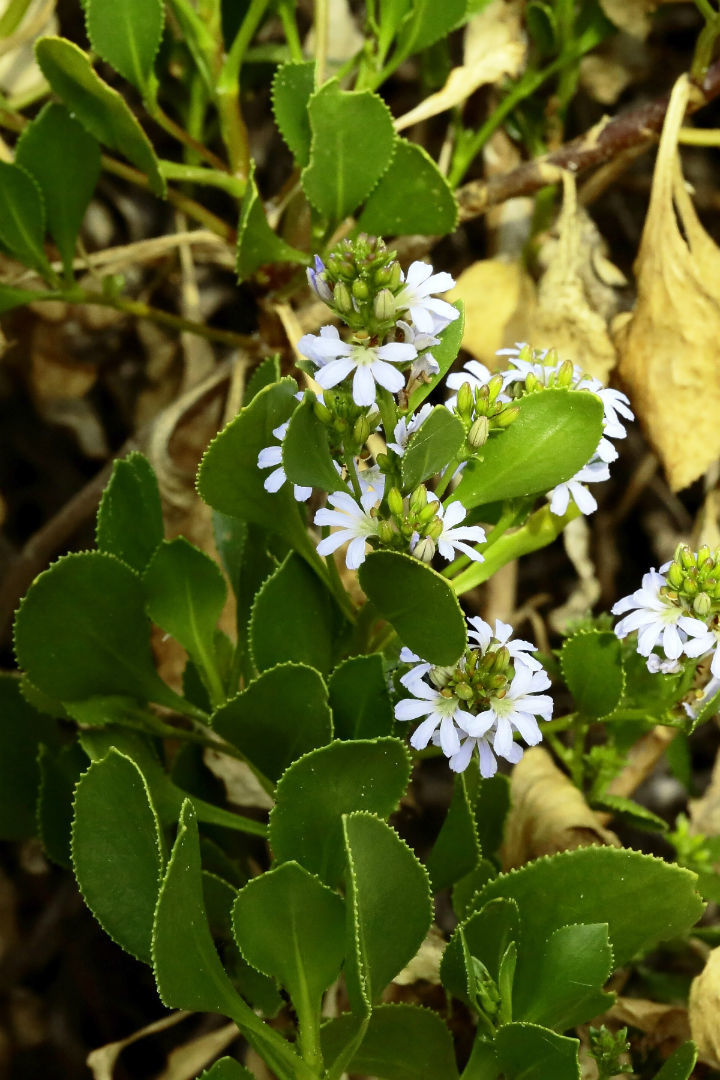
point(495, 47)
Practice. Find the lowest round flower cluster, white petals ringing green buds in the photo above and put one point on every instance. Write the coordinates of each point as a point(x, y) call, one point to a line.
point(493, 693)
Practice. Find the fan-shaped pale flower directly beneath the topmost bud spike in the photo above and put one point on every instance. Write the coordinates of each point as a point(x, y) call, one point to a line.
point(373, 364)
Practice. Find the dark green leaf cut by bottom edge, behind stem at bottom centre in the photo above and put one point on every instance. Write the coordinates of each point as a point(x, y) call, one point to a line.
point(402, 1043)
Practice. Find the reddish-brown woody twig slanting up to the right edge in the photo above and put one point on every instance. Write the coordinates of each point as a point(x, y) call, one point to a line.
point(606, 141)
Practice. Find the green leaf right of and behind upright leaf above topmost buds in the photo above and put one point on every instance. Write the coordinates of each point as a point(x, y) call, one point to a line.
point(412, 198)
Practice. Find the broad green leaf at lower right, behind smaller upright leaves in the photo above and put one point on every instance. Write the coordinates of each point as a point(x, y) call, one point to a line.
point(643, 900)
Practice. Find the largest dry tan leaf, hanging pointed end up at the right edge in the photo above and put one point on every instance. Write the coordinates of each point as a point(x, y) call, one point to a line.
point(670, 348)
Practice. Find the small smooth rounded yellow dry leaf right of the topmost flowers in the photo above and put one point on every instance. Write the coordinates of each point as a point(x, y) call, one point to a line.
point(498, 296)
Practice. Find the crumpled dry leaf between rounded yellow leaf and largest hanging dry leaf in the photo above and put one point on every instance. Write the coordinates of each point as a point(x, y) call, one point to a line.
point(577, 293)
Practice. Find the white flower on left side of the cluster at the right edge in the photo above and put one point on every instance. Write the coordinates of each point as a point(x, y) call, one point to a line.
point(656, 618)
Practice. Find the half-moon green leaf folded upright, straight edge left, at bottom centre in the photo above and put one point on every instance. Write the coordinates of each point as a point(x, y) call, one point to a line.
point(389, 908)
